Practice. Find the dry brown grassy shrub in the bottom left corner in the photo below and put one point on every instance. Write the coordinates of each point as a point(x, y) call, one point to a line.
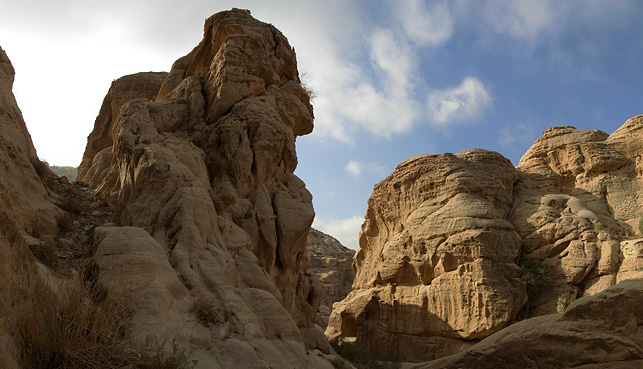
point(79, 324)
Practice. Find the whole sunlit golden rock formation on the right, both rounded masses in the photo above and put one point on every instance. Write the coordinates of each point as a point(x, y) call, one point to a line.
point(444, 236)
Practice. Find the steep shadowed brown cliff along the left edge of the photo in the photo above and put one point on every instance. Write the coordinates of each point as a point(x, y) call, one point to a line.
point(25, 208)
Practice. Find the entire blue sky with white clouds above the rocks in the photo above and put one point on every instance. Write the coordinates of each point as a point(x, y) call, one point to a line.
point(392, 79)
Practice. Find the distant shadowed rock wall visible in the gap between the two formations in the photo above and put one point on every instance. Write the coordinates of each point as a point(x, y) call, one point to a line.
point(330, 262)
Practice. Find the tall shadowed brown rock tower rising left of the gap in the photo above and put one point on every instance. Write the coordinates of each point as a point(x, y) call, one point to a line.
point(202, 178)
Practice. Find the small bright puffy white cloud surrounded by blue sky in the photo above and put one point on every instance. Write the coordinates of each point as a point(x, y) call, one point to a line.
point(465, 102)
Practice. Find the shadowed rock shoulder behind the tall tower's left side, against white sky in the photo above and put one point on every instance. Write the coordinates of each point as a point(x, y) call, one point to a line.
point(99, 142)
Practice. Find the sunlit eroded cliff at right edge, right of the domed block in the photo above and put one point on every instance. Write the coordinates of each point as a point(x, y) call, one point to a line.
point(577, 197)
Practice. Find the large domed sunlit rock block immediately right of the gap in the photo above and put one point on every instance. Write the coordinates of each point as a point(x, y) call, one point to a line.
point(436, 267)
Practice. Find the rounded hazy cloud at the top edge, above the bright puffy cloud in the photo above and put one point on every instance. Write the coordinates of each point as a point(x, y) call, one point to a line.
point(430, 25)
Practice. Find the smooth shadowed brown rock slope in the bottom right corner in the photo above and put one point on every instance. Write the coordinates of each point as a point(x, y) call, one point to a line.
point(600, 331)
